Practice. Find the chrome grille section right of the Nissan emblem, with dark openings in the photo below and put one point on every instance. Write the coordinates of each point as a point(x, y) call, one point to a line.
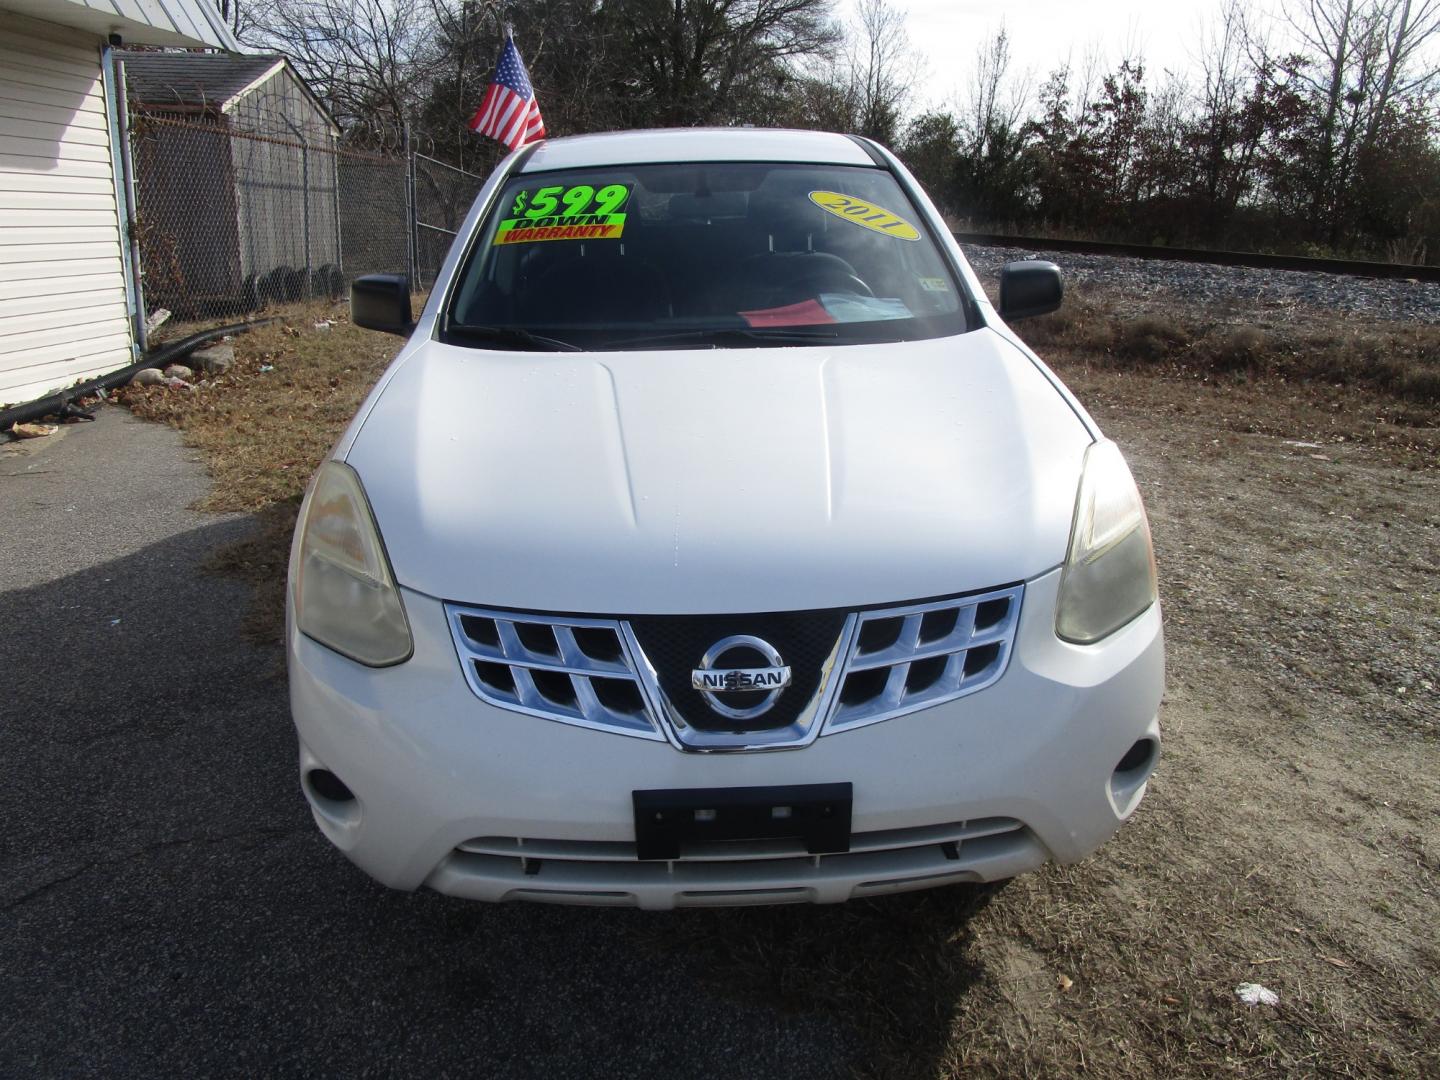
point(919, 656)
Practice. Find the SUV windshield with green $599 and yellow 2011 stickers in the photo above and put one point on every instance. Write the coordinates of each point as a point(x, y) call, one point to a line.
point(702, 254)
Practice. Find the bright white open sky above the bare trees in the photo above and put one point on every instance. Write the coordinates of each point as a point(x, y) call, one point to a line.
point(1045, 32)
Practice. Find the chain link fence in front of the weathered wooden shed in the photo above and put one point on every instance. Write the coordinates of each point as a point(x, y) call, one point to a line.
point(231, 221)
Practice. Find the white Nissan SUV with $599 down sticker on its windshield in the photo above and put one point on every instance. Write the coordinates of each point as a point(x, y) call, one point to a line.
point(714, 542)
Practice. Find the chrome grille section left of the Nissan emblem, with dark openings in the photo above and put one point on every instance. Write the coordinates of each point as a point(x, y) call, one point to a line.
point(564, 669)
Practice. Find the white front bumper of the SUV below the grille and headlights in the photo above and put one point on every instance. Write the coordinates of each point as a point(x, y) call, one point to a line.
point(489, 804)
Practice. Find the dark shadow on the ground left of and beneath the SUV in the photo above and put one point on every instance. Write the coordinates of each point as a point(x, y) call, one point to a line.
point(168, 908)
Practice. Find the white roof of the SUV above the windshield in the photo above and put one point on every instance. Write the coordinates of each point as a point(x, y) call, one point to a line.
point(696, 145)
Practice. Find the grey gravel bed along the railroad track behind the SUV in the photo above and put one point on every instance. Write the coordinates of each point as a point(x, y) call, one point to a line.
point(1233, 294)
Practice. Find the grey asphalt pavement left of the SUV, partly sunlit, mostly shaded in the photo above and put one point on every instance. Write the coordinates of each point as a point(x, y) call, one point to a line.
point(168, 908)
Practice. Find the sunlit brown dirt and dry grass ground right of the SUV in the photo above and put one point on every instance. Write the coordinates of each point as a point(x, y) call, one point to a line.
point(1291, 834)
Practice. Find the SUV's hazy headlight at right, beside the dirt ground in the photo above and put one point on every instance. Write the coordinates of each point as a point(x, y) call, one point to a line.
point(1110, 575)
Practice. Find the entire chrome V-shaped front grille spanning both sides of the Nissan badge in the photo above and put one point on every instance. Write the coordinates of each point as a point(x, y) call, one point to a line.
point(601, 673)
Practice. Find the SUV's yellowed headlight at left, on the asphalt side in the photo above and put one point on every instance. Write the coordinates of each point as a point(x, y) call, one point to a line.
point(345, 594)
